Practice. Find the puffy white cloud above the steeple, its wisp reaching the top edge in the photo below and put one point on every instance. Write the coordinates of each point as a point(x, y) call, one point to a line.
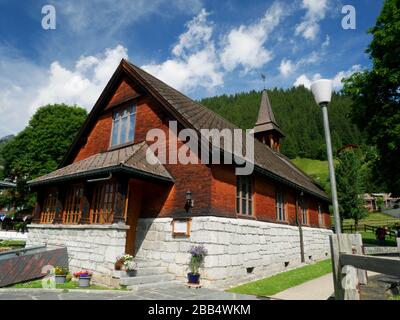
point(245, 45)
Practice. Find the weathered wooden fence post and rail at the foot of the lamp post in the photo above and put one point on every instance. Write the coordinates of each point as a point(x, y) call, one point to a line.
point(350, 265)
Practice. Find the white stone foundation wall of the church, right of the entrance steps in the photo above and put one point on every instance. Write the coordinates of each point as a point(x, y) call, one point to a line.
point(239, 250)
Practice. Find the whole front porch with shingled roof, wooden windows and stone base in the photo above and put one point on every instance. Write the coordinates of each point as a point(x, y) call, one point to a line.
point(92, 206)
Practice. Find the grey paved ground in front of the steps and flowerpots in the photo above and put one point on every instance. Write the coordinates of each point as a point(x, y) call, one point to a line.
point(178, 292)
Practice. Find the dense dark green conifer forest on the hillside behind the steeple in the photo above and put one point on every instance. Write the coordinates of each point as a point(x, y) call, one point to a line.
point(297, 115)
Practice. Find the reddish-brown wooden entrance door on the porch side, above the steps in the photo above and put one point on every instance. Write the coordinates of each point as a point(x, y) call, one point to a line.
point(133, 212)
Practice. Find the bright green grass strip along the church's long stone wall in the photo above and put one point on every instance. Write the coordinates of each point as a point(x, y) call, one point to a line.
point(282, 281)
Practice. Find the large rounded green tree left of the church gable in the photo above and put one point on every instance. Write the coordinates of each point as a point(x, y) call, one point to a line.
point(39, 148)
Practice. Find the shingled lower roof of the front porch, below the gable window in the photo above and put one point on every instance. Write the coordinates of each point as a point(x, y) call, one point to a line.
point(131, 159)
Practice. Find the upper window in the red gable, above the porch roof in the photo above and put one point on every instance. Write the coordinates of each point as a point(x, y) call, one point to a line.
point(123, 130)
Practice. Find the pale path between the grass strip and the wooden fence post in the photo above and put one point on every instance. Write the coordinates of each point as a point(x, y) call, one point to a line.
point(316, 289)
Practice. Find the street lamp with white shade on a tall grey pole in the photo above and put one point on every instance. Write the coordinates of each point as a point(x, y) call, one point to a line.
point(322, 91)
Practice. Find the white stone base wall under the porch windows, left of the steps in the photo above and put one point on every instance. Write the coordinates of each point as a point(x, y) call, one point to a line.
point(93, 247)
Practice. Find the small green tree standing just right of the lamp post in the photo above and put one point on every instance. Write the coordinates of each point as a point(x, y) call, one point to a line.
point(350, 182)
